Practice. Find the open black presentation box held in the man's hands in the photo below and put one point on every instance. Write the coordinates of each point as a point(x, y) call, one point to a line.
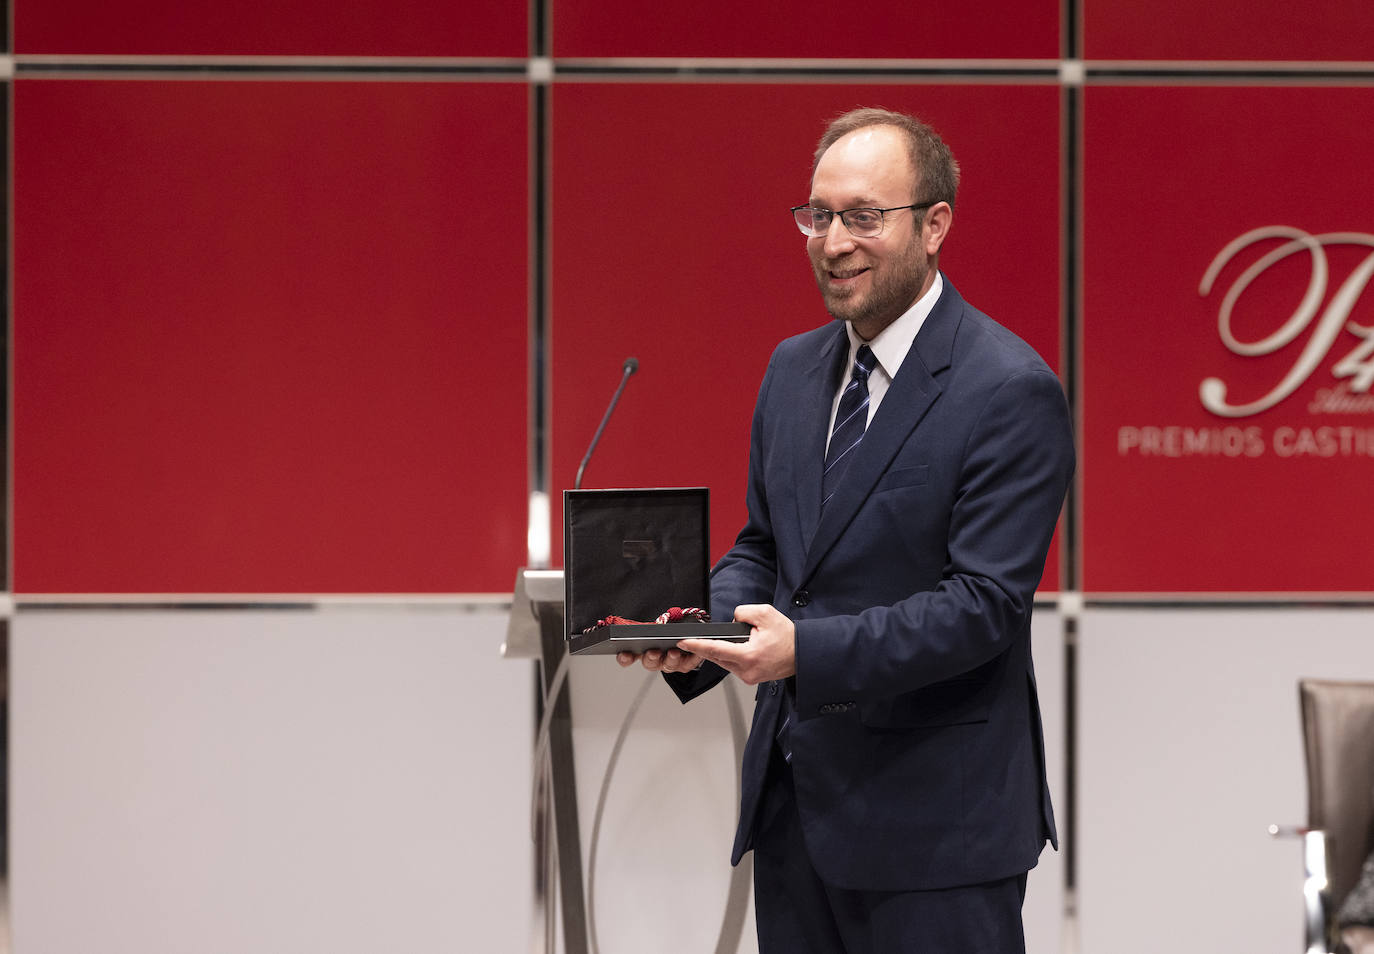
point(637, 555)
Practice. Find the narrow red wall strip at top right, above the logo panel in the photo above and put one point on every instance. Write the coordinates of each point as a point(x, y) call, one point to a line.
point(1229, 30)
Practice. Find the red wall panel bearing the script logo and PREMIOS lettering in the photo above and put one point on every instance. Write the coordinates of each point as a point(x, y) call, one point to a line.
point(1266, 490)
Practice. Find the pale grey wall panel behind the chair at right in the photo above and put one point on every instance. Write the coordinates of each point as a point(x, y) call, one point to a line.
point(1191, 747)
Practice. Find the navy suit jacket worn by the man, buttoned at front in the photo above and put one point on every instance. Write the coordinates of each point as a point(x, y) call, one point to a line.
point(919, 755)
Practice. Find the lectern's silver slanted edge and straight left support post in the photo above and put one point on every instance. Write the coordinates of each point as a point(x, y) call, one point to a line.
point(537, 630)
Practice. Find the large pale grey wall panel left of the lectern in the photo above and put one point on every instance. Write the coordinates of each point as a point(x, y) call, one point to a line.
point(269, 781)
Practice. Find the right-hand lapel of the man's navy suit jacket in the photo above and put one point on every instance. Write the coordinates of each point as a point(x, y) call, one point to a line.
point(909, 398)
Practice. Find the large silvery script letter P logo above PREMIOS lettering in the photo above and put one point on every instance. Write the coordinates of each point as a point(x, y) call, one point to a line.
point(1358, 365)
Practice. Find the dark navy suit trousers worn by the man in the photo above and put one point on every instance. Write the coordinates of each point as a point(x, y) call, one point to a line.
point(798, 913)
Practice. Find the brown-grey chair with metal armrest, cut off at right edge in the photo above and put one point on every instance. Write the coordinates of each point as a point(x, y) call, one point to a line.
point(1339, 746)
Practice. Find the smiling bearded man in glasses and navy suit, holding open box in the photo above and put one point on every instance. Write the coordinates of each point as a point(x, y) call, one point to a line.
point(894, 784)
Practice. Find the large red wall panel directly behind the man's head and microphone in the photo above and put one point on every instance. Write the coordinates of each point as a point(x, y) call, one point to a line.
point(674, 244)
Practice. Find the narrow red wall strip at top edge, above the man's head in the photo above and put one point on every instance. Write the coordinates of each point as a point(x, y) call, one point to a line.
point(811, 30)
